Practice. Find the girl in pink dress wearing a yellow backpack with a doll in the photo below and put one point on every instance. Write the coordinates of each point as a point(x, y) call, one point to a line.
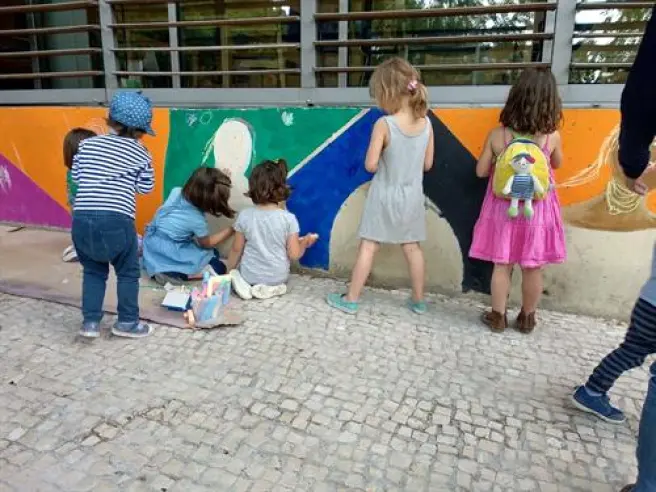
point(528, 131)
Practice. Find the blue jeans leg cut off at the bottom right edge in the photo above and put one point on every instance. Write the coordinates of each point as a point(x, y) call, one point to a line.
point(647, 440)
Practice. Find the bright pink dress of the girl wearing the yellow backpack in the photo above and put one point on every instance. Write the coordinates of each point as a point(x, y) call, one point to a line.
point(530, 243)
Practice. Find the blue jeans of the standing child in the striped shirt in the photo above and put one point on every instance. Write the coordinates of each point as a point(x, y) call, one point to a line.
point(102, 239)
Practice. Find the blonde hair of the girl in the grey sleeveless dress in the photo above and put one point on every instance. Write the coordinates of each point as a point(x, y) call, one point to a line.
point(395, 79)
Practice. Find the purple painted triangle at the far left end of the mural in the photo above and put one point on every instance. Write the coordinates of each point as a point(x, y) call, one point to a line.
point(24, 202)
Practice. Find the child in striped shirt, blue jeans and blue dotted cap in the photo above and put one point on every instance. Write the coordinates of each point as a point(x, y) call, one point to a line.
point(109, 170)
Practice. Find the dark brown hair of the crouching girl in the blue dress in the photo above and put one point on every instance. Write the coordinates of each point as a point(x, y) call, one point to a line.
point(208, 189)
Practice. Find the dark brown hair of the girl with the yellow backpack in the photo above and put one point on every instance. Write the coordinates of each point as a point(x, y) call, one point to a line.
point(533, 106)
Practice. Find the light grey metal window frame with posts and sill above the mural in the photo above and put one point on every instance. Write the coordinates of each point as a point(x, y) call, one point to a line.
point(559, 24)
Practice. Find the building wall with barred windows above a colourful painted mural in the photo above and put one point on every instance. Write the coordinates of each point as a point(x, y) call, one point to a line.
point(236, 82)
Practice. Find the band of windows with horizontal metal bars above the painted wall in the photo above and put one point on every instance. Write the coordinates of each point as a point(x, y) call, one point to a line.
point(314, 56)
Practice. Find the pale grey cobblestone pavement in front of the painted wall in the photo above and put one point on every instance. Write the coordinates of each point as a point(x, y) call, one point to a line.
point(302, 398)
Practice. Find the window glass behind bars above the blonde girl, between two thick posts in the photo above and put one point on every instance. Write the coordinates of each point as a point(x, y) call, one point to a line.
point(384, 37)
